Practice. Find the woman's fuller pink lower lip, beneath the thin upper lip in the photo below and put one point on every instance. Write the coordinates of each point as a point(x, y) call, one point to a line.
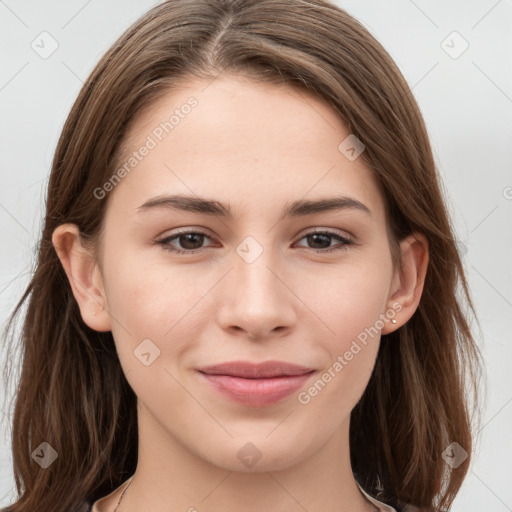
point(257, 392)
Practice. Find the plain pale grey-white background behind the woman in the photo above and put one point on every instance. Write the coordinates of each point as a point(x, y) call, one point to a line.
point(465, 95)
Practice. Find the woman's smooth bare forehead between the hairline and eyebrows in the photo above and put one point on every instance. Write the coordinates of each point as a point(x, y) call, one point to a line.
point(241, 140)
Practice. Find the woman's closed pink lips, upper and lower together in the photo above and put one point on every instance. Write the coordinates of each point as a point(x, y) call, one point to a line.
point(256, 384)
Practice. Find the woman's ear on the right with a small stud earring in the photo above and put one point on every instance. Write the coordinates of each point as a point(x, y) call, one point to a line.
point(407, 285)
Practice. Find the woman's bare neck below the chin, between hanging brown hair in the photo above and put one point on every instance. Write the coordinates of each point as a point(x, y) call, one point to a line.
point(171, 476)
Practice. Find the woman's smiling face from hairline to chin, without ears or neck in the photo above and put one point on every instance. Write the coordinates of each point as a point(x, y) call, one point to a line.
point(245, 278)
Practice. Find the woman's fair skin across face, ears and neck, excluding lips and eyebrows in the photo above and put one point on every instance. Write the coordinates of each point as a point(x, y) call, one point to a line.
point(255, 146)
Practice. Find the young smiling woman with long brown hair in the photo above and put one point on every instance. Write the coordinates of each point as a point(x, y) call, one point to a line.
point(246, 289)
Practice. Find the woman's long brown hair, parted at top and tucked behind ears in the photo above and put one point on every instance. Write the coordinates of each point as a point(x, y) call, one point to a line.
point(72, 392)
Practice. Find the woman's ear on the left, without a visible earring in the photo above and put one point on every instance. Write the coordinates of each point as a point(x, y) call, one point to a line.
point(83, 272)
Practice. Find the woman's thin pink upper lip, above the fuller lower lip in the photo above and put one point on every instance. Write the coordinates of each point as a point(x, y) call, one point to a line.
point(250, 370)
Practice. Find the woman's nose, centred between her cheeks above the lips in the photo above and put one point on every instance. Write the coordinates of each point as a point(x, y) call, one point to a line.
point(258, 298)
